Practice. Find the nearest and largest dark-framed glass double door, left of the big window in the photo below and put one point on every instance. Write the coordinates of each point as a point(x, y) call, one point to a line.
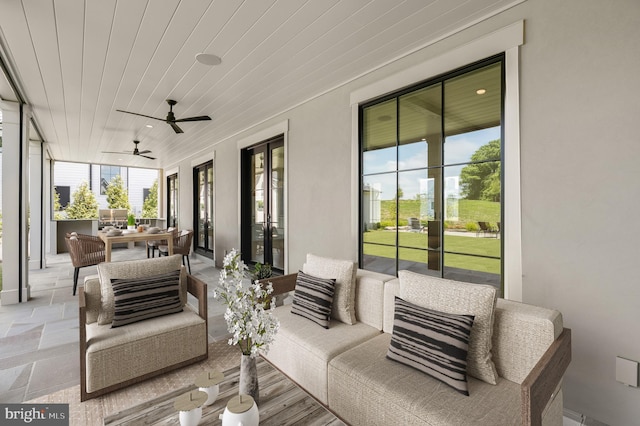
point(263, 213)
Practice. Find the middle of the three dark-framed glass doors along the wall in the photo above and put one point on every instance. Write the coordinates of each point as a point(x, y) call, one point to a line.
point(203, 209)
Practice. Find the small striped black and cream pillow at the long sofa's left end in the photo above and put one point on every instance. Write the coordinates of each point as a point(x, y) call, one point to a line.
point(313, 298)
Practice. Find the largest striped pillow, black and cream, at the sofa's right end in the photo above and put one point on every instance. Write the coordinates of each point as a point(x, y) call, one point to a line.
point(433, 342)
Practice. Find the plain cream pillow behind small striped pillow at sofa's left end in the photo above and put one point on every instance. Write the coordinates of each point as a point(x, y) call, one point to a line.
point(344, 272)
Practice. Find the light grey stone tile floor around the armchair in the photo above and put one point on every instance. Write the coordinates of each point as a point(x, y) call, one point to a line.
point(39, 339)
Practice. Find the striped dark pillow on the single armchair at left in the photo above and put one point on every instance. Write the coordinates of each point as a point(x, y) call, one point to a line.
point(138, 299)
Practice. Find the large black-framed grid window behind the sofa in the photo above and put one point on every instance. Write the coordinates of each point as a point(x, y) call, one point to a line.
point(431, 177)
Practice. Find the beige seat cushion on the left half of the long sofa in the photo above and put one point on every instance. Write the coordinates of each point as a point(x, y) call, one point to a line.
point(302, 350)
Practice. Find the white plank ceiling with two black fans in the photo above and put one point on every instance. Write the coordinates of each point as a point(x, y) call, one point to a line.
point(80, 60)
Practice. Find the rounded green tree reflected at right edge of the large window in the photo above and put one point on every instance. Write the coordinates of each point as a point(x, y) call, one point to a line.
point(481, 180)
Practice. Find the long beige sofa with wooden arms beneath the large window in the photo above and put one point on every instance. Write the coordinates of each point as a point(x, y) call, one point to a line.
point(345, 367)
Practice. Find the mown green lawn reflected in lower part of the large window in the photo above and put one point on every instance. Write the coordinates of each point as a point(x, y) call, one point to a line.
point(413, 247)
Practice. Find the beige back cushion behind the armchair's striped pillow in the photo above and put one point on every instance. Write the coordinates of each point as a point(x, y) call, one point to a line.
point(135, 269)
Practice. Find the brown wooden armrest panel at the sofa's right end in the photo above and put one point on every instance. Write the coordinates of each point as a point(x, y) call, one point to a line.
point(538, 387)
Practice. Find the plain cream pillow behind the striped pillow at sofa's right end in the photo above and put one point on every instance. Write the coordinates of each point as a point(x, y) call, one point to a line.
point(457, 297)
